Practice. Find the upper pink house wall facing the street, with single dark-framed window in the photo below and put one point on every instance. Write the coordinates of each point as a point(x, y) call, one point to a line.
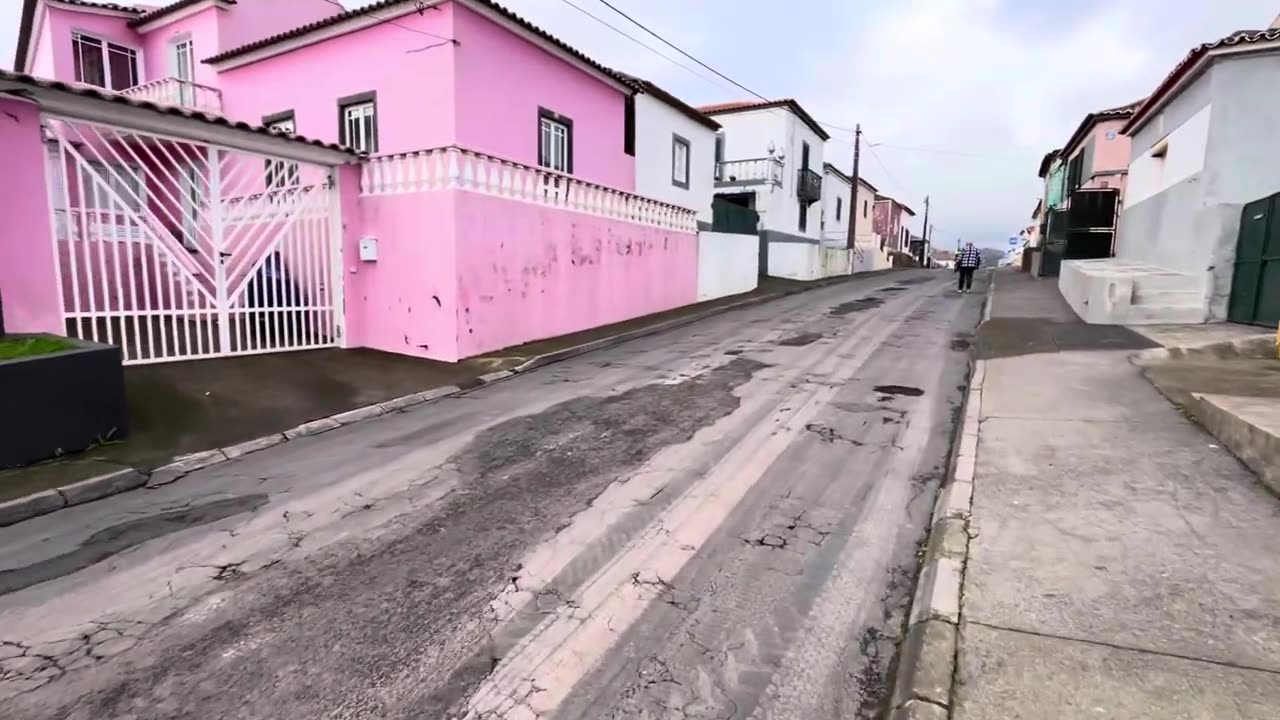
point(504, 80)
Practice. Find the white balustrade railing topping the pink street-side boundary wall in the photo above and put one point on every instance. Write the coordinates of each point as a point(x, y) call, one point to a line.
point(456, 168)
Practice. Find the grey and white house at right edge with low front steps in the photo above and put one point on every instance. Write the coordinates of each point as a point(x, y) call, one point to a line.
point(1200, 233)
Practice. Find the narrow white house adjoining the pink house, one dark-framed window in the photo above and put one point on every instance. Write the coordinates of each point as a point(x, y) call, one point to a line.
point(675, 151)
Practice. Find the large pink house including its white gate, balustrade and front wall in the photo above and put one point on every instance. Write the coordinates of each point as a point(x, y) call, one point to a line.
point(484, 195)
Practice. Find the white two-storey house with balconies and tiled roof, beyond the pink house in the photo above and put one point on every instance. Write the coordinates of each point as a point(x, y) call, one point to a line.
point(770, 158)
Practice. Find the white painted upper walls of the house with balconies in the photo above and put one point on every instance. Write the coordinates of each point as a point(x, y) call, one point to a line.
point(748, 136)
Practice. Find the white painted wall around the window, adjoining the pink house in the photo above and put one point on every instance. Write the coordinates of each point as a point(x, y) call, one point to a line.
point(656, 126)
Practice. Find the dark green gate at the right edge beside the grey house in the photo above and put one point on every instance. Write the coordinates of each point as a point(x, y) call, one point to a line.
point(1256, 282)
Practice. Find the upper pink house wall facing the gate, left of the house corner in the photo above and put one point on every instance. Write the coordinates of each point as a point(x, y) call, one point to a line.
point(415, 90)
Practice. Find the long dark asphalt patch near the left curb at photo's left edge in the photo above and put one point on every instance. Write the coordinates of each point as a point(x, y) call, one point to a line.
point(118, 539)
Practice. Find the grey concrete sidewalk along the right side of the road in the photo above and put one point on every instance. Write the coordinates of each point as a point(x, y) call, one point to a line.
point(1122, 564)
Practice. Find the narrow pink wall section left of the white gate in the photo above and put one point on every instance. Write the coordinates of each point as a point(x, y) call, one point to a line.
point(29, 276)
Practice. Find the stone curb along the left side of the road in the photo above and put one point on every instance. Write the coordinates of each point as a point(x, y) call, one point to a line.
point(97, 489)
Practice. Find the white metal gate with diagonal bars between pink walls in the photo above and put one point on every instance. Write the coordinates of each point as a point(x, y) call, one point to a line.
point(179, 250)
